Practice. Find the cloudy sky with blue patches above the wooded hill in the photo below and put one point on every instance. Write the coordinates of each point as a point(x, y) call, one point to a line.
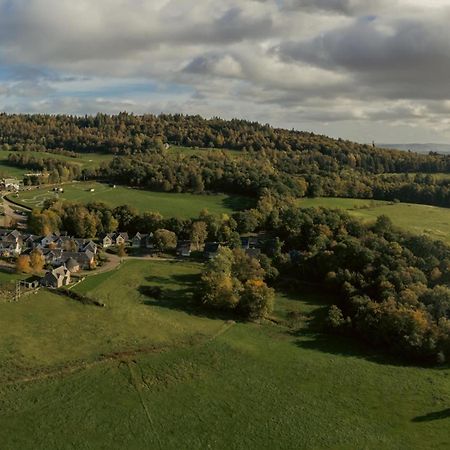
point(357, 69)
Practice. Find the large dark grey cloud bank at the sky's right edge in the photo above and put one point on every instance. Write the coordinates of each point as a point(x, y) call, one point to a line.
point(406, 58)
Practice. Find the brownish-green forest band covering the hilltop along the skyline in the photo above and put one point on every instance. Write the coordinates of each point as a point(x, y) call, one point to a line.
point(131, 134)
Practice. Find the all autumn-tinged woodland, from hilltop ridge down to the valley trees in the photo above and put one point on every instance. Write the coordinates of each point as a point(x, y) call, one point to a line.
point(391, 287)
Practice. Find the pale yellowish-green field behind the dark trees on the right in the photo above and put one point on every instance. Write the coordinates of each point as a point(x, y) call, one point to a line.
point(420, 219)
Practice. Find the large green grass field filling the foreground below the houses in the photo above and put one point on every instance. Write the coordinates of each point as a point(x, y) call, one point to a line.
point(145, 373)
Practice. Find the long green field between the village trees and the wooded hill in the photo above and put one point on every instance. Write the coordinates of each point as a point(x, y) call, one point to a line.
point(168, 204)
